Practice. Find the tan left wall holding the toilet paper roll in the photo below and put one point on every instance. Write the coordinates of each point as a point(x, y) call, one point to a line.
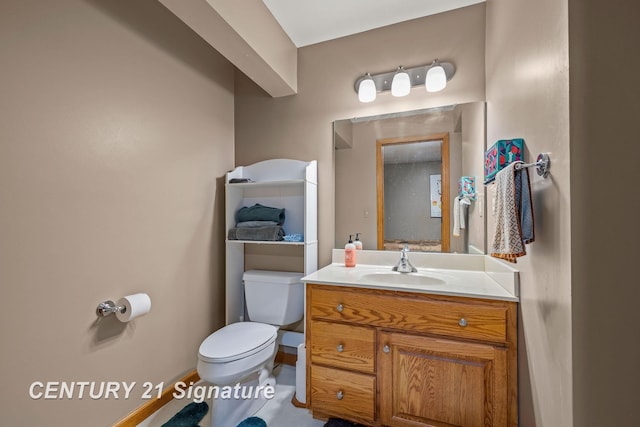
point(116, 126)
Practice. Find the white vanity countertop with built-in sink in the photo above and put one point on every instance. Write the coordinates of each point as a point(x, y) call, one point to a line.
point(468, 277)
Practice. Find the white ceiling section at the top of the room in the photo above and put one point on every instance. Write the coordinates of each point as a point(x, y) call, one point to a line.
point(308, 22)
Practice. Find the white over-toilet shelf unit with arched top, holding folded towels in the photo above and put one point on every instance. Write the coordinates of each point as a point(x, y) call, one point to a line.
point(281, 183)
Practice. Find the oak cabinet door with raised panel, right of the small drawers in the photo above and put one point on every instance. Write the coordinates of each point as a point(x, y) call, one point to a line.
point(427, 381)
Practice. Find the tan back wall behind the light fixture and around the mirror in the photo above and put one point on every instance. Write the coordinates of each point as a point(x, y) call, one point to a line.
point(300, 127)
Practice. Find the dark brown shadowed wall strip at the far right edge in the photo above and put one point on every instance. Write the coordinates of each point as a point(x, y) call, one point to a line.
point(605, 206)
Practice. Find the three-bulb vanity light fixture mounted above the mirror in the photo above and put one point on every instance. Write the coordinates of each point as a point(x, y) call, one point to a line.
point(433, 76)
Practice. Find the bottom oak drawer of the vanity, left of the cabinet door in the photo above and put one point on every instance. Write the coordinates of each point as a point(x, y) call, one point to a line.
point(345, 394)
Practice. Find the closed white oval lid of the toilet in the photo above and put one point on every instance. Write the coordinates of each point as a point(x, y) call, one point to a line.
point(236, 341)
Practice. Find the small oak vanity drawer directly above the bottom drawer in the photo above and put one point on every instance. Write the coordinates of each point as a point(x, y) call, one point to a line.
point(343, 346)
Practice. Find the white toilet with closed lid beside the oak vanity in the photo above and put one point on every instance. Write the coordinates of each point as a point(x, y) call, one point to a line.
point(243, 353)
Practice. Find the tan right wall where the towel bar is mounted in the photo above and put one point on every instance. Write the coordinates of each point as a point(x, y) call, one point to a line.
point(528, 96)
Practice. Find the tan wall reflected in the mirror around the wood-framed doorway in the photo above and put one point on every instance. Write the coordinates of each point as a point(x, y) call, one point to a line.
point(355, 167)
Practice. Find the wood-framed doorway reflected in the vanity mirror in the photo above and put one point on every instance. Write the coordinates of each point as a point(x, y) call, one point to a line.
point(407, 210)
